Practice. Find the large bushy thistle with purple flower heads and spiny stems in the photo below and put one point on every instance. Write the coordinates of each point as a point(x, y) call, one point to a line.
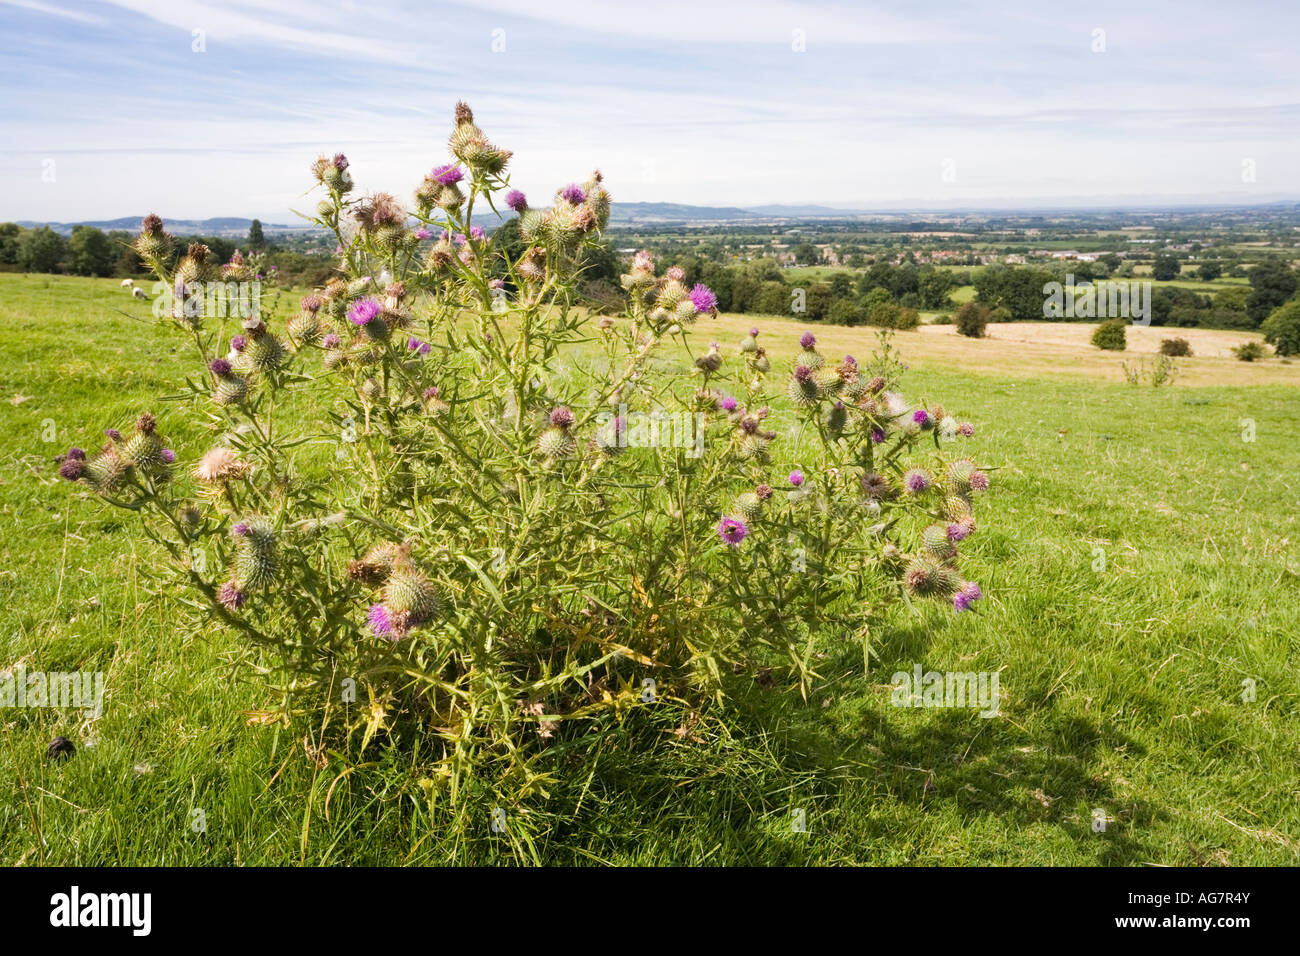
point(421, 482)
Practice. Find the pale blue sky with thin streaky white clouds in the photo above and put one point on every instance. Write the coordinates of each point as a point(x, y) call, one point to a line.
point(194, 110)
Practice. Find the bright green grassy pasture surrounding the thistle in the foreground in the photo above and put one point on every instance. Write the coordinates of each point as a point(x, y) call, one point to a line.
point(1138, 555)
